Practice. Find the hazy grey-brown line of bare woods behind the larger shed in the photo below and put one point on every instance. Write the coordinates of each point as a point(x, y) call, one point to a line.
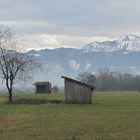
point(106, 80)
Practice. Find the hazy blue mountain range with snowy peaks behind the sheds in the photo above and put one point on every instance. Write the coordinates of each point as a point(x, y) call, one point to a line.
point(122, 54)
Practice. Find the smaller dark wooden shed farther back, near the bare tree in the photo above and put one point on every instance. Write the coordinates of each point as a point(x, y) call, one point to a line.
point(43, 87)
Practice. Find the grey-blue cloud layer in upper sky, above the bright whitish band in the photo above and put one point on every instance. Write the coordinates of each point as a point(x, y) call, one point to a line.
point(94, 18)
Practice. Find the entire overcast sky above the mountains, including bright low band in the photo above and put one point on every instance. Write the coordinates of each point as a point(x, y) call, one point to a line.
point(69, 23)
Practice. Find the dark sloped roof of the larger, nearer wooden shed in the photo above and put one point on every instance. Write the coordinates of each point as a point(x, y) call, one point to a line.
point(79, 82)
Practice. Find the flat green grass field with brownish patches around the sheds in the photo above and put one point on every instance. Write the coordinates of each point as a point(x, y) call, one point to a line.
point(112, 116)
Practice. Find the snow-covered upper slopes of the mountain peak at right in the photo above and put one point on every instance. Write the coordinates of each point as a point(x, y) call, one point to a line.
point(126, 43)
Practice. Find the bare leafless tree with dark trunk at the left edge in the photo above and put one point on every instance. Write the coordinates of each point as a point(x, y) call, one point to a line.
point(14, 65)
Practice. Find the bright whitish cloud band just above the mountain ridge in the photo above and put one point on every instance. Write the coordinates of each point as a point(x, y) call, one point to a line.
point(42, 41)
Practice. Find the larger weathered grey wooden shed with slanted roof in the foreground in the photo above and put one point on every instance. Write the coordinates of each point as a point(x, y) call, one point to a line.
point(77, 92)
